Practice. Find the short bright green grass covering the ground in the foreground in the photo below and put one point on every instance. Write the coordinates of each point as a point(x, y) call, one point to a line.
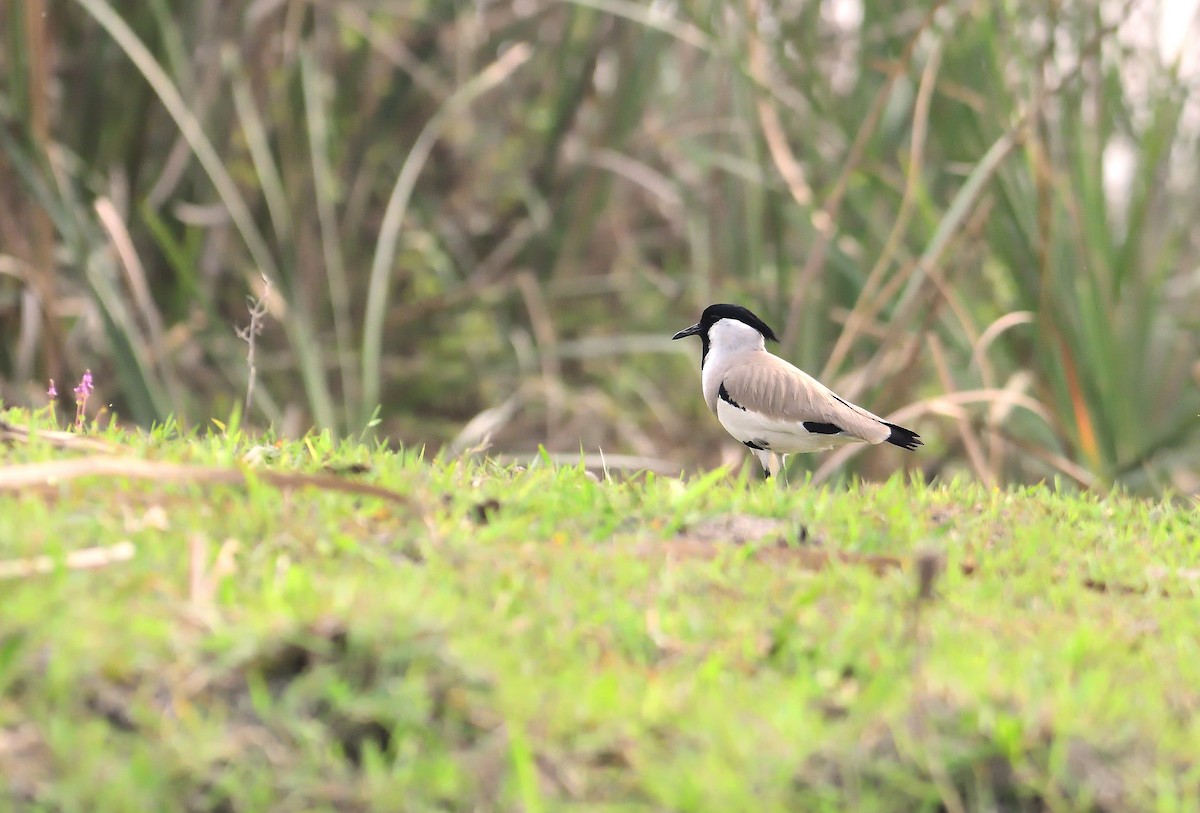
point(541, 640)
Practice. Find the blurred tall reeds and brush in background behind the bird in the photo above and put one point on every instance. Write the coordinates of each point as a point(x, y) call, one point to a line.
point(975, 216)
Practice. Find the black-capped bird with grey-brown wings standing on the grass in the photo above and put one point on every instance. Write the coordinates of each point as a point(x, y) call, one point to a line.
point(770, 406)
